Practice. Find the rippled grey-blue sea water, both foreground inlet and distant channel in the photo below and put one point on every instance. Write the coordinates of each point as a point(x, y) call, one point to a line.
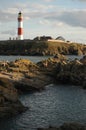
point(51, 107)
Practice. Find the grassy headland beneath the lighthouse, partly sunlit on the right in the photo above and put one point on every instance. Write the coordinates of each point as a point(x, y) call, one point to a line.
point(40, 47)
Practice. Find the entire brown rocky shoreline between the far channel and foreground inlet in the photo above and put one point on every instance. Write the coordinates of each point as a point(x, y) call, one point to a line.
point(24, 75)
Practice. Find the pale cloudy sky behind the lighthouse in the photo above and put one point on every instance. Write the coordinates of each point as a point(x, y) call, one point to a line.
point(44, 17)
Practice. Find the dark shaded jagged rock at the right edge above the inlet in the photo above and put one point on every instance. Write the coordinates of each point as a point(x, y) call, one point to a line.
point(73, 72)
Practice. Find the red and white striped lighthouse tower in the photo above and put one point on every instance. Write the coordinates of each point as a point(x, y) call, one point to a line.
point(20, 26)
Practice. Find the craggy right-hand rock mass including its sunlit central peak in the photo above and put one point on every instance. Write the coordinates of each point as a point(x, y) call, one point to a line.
point(64, 71)
